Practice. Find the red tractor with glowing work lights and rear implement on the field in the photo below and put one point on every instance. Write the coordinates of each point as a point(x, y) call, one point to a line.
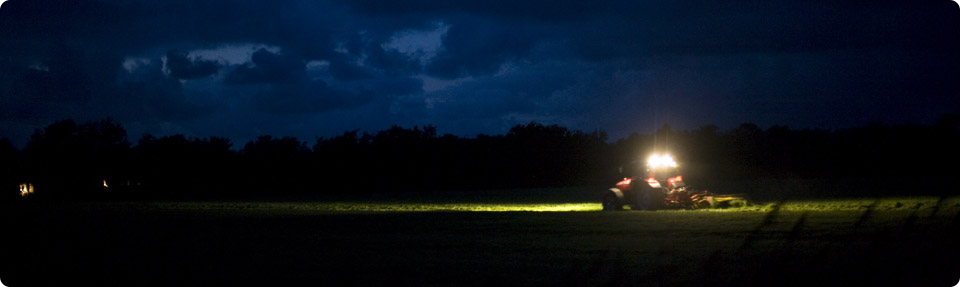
point(659, 185)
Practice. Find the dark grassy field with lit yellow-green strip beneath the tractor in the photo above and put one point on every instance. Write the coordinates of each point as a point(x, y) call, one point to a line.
point(860, 242)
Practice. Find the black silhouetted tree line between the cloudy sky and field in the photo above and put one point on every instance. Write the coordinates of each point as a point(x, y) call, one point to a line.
point(96, 159)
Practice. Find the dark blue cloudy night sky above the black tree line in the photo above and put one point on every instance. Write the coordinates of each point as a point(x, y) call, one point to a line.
point(240, 69)
